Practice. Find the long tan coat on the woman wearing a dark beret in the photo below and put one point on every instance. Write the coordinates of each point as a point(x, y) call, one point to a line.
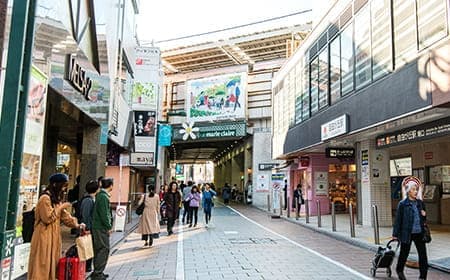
point(45, 249)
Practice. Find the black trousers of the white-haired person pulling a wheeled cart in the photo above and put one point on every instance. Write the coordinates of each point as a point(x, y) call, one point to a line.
point(421, 250)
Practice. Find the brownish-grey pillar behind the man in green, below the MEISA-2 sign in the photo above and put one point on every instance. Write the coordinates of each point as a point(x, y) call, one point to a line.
point(93, 156)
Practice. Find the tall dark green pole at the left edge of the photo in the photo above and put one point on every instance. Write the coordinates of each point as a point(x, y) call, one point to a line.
point(12, 123)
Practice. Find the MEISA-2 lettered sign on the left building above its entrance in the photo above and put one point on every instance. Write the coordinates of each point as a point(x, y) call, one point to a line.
point(77, 77)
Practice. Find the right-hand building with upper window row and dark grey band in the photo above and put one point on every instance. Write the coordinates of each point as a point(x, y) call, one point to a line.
point(364, 103)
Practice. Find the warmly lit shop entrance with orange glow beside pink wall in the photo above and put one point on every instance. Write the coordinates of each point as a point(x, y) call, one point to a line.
point(342, 182)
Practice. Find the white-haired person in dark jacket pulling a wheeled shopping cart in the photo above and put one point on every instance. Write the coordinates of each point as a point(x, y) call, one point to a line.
point(408, 227)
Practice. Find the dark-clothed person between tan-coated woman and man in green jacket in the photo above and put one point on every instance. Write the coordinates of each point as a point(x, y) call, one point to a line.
point(87, 211)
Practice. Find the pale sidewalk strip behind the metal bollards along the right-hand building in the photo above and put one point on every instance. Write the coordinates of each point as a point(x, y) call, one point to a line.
point(438, 249)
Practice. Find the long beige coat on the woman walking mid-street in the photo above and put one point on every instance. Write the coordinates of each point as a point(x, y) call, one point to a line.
point(149, 222)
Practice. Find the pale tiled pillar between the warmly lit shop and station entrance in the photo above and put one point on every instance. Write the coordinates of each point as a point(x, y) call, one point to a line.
point(373, 167)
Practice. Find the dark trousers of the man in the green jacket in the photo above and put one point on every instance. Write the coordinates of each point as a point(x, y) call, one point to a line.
point(100, 242)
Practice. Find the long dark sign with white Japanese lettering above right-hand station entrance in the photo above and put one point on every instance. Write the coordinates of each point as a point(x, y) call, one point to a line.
point(416, 133)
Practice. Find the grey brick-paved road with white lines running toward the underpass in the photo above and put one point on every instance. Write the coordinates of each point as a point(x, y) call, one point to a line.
point(244, 243)
